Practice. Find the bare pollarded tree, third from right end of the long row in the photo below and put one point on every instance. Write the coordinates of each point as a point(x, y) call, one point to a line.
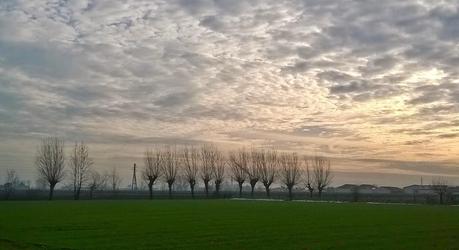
point(290, 171)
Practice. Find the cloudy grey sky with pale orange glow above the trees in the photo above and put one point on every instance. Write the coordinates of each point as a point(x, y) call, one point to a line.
point(373, 85)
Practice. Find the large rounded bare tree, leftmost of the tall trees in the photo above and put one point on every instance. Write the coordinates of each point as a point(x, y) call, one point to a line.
point(50, 162)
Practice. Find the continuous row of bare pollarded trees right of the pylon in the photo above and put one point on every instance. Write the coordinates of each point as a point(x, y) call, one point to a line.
point(207, 164)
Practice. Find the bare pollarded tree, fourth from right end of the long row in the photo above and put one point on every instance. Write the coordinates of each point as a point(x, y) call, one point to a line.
point(267, 162)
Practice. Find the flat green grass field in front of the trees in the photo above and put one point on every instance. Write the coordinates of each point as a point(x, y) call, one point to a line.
point(225, 224)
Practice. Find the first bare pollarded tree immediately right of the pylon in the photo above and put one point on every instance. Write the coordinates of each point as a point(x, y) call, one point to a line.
point(153, 161)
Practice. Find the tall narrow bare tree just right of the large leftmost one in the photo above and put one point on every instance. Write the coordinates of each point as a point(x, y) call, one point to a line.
point(80, 164)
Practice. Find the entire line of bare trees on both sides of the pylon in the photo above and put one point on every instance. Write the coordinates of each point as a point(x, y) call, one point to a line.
point(204, 164)
